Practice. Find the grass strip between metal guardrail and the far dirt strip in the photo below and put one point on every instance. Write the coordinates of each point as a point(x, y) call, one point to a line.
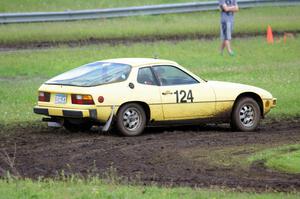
point(248, 21)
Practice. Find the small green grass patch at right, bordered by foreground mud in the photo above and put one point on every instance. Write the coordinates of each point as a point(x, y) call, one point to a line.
point(284, 159)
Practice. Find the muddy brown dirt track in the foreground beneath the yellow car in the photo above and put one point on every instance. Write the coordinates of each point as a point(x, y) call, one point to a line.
point(189, 156)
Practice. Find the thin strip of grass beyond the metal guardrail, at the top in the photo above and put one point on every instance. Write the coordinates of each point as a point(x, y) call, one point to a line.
point(62, 5)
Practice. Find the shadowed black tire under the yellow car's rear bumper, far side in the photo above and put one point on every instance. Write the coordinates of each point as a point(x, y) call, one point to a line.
point(74, 125)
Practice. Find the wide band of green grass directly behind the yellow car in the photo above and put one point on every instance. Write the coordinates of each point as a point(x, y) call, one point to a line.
point(272, 67)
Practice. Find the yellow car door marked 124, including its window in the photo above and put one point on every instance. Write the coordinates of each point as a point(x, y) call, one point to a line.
point(182, 96)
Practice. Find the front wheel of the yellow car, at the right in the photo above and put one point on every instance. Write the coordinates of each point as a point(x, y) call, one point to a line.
point(246, 115)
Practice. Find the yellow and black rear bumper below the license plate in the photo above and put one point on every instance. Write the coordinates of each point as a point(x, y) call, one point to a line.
point(70, 113)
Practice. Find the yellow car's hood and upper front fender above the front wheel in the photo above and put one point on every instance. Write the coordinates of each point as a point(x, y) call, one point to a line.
point(230, 91)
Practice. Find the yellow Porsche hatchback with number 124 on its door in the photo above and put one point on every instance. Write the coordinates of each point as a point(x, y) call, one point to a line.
point(131, 93)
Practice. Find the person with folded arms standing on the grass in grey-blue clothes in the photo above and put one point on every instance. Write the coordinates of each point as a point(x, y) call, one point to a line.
point(228, 8)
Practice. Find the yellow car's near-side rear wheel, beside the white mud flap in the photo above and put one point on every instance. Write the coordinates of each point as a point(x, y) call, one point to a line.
point(131, 119)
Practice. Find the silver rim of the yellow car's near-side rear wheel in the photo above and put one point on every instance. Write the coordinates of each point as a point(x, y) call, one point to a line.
point(131, 119)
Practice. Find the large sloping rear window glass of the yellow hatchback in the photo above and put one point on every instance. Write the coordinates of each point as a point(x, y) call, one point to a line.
point(93, 74)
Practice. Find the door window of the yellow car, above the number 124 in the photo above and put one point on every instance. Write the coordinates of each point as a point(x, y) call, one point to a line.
point(170, 75)
